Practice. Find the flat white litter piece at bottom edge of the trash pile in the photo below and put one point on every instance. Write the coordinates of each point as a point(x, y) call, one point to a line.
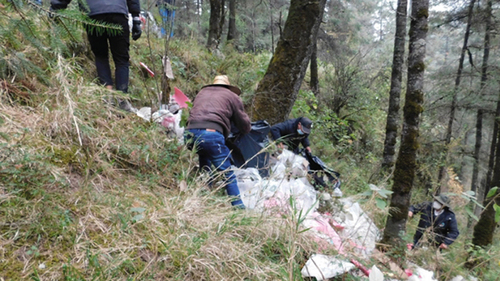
point(324, 267)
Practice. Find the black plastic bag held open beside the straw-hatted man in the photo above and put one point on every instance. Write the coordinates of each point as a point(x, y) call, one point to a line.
point(247, 148)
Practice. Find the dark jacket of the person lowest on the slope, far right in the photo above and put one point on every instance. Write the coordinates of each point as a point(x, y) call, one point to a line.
point(444, 227)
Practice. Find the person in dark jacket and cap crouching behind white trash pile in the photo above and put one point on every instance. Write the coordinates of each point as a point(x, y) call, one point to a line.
point(292, 133)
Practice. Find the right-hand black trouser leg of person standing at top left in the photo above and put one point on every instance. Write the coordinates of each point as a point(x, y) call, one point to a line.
point(120, 45)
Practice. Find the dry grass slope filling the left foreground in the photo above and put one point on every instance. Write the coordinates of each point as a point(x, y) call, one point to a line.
point(88, 191)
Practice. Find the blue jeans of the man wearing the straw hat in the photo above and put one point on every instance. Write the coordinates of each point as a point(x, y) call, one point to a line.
point(212, 150)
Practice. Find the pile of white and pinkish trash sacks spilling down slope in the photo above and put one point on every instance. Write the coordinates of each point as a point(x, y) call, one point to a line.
point(349, 231)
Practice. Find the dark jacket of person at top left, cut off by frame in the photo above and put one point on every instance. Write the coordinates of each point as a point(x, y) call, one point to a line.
point(97, 7)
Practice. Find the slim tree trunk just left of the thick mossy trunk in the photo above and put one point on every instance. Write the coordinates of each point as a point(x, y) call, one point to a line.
point(391, 129)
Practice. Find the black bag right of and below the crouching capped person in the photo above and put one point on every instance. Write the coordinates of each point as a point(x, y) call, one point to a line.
point(323, 176)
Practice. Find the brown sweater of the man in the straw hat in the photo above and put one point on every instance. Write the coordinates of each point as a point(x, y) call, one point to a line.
point(215, 107)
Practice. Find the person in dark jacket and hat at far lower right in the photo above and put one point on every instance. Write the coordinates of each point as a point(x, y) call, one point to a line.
point(440, 218)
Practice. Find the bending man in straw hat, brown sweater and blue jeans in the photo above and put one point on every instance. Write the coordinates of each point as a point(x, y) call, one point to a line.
point(215, 108)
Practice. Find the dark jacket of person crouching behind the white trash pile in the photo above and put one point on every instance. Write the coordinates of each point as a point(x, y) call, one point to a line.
point(286, 132)
